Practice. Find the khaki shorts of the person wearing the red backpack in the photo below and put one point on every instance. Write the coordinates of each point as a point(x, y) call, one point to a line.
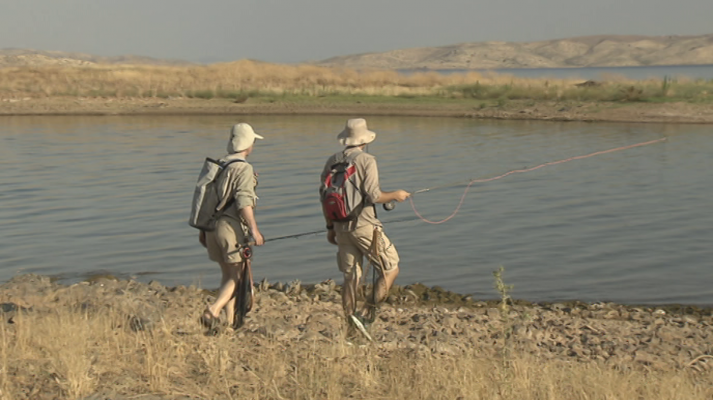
point(355, 245)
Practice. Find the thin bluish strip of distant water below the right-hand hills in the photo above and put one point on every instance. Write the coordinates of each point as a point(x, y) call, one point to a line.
point(693, 72)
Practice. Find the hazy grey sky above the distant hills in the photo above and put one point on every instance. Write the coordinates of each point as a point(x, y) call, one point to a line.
point(304, 30)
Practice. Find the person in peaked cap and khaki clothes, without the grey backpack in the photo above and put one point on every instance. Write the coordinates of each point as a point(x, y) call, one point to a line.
point(232, 222)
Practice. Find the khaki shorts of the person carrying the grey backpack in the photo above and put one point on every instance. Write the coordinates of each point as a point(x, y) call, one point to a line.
point(223, 243)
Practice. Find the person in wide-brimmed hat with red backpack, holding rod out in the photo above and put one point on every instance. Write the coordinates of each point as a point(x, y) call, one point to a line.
point(349, 191)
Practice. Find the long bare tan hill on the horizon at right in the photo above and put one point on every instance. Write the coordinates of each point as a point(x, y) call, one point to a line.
point(586, 51)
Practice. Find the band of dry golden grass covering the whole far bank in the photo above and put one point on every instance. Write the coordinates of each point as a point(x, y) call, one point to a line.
point(244, 79)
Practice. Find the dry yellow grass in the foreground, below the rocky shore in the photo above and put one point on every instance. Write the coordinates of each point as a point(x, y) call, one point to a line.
point(72, 354)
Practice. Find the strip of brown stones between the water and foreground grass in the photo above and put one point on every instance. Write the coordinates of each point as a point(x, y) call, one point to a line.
point(415, 317)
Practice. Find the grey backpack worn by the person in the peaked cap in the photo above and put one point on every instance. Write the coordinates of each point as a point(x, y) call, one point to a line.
point(206, 206)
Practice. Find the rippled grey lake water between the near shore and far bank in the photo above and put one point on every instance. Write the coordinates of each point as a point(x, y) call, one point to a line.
point(87, 195)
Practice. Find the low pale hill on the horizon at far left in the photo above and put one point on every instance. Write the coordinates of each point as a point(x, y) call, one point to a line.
point(29, 57)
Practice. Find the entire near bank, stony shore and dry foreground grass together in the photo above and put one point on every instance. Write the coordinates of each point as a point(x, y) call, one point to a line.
point(125, 339)
